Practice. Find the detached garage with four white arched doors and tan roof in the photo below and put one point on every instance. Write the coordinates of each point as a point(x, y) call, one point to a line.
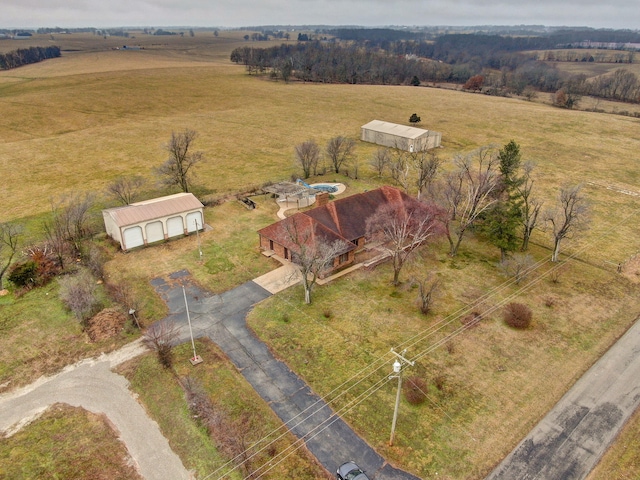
point(154, 220)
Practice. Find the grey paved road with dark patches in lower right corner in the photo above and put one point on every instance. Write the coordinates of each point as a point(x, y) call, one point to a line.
point(569, 442)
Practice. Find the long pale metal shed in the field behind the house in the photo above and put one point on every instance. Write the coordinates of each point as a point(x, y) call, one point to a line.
point(393, 135)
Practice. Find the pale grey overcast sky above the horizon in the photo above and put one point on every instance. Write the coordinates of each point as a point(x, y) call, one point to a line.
point(236, 13)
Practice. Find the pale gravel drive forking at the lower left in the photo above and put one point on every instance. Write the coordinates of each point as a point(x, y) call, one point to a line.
point(92, 385)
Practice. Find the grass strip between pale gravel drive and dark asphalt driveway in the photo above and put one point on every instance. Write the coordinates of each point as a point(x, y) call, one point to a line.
point(164, 399)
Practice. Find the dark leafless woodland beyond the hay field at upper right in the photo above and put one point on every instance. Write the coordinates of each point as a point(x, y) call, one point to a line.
point(504, 68)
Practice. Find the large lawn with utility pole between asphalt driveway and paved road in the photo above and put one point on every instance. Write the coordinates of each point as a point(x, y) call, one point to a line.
point(488, 385)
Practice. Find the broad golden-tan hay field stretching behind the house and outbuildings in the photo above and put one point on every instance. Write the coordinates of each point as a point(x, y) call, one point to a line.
point(76, 123)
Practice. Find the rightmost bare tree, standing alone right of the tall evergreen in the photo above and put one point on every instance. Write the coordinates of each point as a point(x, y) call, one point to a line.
point(568, 217)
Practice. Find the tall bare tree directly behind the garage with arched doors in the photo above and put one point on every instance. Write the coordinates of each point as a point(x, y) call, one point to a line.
point(177, 170)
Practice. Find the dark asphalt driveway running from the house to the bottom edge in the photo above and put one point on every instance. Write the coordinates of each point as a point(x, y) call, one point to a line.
point(222, 319)
